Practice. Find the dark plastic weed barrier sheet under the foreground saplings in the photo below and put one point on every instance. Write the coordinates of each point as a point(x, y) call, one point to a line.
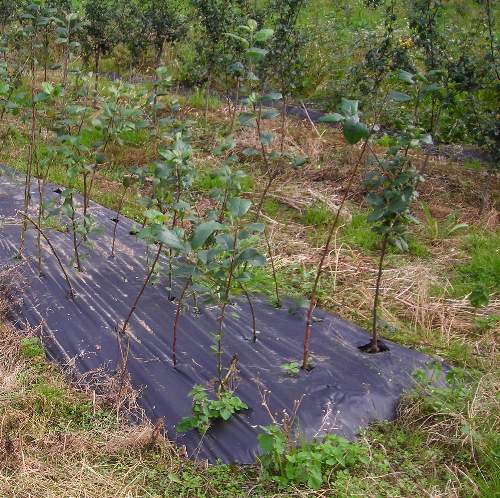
point(345, 391)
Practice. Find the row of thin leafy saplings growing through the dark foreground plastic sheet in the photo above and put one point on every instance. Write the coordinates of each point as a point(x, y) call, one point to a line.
point(211, 255)
